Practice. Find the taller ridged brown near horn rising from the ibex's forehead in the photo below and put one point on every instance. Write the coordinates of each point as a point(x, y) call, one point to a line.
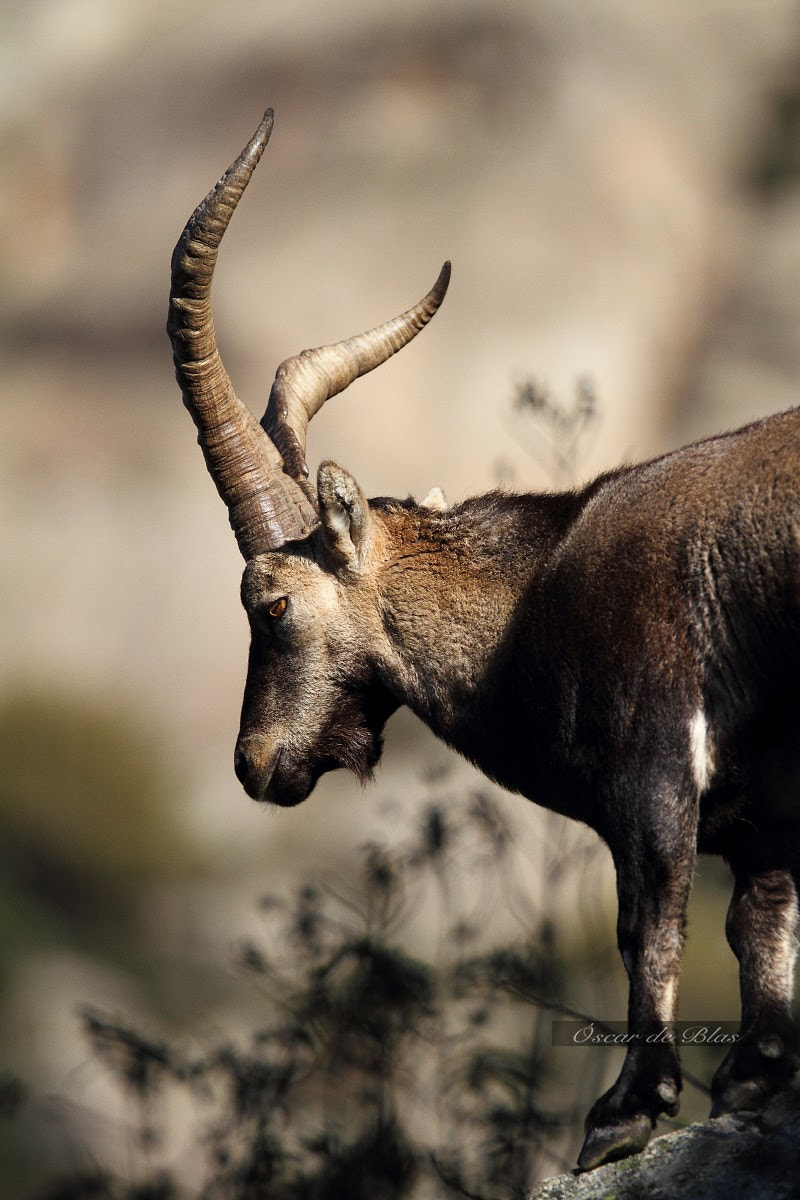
point(267, 507)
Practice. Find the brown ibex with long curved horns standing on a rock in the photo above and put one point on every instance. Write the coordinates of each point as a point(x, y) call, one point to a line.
point(627, 655)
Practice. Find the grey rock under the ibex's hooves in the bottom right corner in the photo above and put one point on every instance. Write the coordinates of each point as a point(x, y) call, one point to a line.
point(753, 1156)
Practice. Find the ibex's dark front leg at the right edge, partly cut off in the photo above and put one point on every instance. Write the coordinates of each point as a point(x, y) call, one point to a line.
point(762, 929)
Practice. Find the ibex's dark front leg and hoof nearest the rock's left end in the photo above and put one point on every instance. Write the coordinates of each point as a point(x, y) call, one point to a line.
point(654, 856)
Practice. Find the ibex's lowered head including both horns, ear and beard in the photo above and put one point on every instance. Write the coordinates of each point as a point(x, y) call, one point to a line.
point(315, 698)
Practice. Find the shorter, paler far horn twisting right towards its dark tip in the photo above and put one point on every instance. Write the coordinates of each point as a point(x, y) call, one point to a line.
point(305, 382)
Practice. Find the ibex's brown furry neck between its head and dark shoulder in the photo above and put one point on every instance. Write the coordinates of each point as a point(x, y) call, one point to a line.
point(452, 595)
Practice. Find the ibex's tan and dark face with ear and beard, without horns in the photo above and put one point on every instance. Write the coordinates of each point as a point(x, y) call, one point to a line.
point(315, 699)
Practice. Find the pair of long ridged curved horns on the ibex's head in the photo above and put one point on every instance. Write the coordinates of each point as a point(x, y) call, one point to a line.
point(261, 470)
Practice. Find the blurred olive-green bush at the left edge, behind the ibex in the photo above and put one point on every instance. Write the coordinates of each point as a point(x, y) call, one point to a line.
point(85, 821)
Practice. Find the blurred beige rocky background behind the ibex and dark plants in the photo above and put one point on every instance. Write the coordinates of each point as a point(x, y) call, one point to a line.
point(618, 185)
